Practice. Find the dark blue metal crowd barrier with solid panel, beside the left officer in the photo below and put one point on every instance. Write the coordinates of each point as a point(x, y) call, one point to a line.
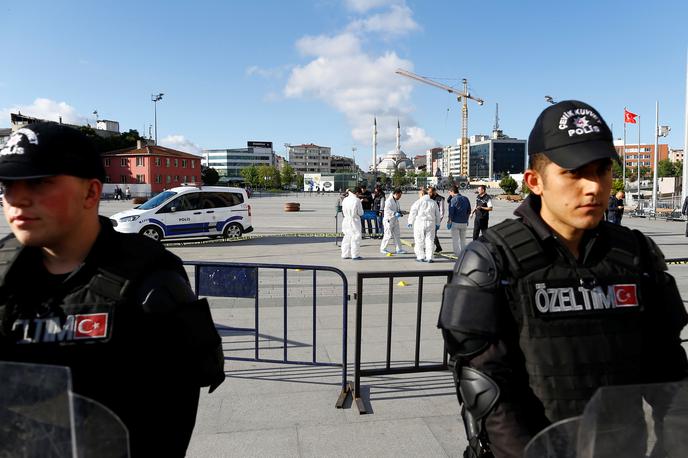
point(241, 280)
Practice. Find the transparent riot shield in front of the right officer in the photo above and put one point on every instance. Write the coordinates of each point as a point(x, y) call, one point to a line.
point(629, 421)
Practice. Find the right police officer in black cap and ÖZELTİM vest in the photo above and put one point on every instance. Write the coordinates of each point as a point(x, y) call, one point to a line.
point(544, 309)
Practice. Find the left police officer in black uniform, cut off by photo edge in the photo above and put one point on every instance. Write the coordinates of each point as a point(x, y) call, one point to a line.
point(117, 309)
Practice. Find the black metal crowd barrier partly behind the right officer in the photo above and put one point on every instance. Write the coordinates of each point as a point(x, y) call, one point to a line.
point(387, 370)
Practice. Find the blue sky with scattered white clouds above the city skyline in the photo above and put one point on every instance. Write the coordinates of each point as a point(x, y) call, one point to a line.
point(319, 71)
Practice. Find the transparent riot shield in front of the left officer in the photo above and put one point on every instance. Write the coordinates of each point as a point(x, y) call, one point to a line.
point(41, 417)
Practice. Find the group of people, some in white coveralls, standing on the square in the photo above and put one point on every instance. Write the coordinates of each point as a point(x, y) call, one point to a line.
point(424, 217)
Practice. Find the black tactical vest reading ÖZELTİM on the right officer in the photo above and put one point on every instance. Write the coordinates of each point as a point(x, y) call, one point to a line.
point(580, 327)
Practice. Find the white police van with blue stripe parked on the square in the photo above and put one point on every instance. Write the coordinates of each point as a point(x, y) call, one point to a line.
point(189, 211)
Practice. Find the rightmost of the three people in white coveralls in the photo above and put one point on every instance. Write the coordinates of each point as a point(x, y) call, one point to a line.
point(424, 217)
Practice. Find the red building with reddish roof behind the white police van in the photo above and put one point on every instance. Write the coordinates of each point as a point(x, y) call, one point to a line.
point(151, 169)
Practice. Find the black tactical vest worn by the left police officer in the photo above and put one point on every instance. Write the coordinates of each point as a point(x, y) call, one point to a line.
point(88, 309)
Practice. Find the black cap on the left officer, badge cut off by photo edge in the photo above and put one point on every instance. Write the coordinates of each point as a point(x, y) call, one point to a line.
point(48, 149)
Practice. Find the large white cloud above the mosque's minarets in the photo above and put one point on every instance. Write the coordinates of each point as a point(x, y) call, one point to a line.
point(362, 85)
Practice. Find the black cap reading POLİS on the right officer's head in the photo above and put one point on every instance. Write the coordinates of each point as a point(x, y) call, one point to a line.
point(571, 134)
